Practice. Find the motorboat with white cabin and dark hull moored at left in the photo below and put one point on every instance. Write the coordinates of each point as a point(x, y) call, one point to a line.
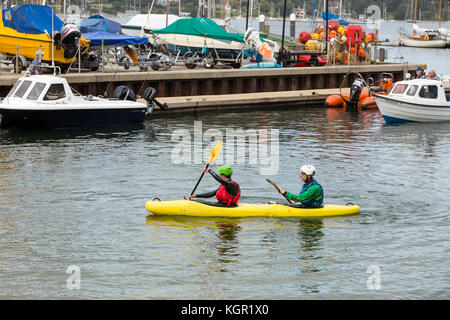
point(47, 101)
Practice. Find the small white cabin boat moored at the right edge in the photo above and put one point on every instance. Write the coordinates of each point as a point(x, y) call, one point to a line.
point(419, 100)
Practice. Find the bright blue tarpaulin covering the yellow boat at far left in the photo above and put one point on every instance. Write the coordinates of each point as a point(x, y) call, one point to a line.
point(31, 19)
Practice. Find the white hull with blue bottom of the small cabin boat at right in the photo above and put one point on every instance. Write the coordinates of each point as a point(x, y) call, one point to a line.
point(395, 111)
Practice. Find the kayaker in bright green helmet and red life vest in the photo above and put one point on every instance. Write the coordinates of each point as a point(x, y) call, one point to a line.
point(228, 193)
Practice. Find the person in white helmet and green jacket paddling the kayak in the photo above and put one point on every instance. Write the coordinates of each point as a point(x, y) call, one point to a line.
point(311, 195)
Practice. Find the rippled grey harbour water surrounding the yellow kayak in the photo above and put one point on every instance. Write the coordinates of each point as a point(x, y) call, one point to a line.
point(76, 198)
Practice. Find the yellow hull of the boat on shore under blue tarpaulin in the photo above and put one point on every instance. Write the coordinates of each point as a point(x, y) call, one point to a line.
point(13, 42)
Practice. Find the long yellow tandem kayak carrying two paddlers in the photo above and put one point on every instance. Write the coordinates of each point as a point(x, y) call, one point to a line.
point(195, 208)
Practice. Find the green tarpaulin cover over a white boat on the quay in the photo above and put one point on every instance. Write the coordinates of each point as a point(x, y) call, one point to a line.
point(200, 27)
